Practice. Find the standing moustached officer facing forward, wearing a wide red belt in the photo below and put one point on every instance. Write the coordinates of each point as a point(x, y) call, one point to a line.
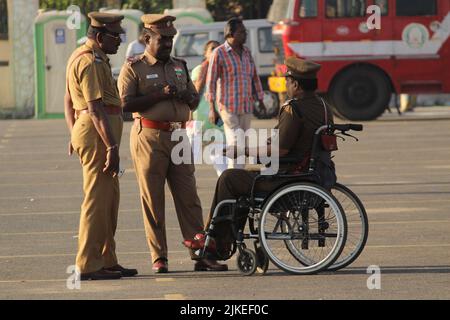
point(157, 89)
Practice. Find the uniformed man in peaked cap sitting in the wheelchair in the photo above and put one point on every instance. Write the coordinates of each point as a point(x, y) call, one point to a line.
point(298, 120)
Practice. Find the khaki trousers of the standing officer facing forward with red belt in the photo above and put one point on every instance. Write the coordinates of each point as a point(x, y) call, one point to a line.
point(151, 152)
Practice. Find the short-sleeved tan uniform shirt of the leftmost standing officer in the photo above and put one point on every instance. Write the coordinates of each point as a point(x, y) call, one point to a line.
point(89, 77)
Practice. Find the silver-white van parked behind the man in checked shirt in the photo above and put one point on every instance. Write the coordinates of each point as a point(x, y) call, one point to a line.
point(190, 41)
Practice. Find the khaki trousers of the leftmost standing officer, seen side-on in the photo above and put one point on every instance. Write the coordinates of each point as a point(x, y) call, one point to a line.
point(99, 211)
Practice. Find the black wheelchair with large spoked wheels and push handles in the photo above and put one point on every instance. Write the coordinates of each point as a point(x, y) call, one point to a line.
point(300, 226)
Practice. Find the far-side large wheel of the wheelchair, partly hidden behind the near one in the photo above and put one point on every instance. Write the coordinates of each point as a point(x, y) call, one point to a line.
point(357, 226)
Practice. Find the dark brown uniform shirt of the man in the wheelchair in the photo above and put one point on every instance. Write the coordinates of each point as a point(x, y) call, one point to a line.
point(296, 132)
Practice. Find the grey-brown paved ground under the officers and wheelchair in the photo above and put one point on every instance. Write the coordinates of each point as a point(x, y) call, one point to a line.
point(400, 169)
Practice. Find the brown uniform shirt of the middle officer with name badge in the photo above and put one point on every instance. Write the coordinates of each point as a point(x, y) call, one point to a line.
point(148, 74)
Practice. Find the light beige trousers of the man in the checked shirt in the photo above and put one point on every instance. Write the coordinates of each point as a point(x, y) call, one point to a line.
point(232, 122)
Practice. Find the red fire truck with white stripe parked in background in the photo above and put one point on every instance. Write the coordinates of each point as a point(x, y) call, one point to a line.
point(362, 67)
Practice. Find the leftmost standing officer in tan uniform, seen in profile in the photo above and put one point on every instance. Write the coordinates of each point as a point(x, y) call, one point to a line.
point(94, 117)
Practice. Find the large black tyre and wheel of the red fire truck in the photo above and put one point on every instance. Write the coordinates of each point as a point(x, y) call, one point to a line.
point(360, 93)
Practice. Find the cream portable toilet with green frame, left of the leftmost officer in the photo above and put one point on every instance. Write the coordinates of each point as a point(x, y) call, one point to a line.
point(54, 43)
